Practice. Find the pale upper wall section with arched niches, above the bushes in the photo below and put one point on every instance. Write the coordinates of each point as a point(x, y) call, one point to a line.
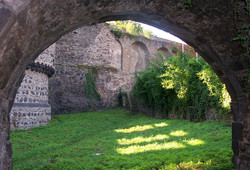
point(137, 51)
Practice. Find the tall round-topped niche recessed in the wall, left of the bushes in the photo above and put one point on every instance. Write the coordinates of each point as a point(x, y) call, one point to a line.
point(142, 55)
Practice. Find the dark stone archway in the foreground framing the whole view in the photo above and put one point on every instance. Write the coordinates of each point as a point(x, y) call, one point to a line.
point(28, 27)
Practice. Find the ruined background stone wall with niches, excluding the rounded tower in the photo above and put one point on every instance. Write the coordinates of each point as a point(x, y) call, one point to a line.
point(114, 59)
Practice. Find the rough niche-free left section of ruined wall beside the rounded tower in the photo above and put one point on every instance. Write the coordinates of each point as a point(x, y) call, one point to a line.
point(78, 51)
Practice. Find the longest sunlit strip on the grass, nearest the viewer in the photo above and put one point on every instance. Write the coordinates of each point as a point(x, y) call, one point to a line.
point(149, 147)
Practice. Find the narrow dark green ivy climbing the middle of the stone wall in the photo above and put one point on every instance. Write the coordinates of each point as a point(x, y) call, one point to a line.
point(90, 88)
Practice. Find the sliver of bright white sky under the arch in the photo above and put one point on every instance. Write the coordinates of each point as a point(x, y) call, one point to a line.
point(161, 34)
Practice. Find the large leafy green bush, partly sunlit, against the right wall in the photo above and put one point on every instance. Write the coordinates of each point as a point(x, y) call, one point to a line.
point(182, 85)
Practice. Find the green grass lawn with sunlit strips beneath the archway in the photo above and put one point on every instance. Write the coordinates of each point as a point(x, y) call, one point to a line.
point(115, 139)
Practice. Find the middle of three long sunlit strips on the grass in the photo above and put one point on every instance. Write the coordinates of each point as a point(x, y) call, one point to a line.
point(125, 141)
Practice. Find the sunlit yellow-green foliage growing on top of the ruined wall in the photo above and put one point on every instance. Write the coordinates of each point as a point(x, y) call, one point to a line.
point(131, 27)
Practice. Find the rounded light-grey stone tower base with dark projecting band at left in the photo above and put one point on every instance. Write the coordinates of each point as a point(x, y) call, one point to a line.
point(31, 107)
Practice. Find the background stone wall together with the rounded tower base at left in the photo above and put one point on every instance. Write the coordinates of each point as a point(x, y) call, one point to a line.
point(114, 59)
